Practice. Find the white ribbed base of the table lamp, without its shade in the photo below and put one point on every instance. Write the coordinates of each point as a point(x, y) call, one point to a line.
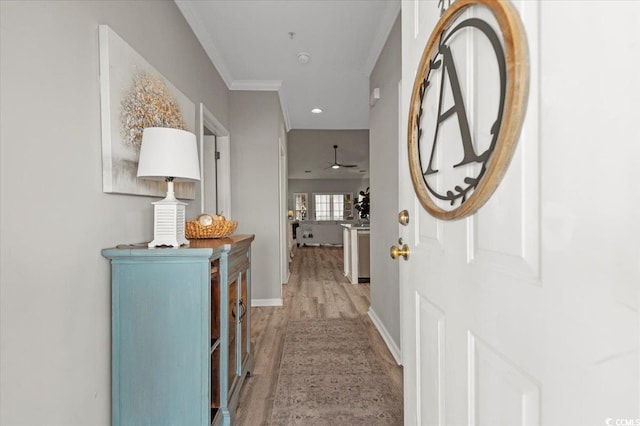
point(168, 221)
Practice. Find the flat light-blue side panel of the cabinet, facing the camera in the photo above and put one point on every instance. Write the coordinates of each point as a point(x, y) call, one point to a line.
point(160, 348)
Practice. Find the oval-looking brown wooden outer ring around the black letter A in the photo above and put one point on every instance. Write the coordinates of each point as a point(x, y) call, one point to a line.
point(517, 91)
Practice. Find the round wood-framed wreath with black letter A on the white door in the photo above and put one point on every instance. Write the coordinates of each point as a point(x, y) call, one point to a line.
point(438, 115)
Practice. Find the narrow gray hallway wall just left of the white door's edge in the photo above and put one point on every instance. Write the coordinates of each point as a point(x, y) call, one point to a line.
point(383, 154)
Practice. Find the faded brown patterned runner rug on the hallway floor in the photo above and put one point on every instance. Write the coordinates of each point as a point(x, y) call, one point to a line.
point(329, 376)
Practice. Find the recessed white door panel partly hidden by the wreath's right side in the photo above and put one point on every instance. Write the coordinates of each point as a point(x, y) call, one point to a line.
point(518, 252)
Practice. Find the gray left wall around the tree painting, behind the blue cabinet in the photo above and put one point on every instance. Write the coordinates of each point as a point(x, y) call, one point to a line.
point(55, 294)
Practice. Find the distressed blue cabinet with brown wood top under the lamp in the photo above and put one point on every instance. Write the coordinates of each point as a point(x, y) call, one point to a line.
point(180, 331)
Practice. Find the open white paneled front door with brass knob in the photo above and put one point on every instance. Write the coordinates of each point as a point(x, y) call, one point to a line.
point(527, 312)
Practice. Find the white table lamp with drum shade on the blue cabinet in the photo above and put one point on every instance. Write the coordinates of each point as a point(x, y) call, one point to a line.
point(170, 155)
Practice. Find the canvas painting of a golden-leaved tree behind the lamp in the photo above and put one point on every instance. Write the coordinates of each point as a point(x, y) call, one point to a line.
point(134, 95)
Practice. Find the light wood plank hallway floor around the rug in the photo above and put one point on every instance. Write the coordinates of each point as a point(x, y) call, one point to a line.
point(317, 288)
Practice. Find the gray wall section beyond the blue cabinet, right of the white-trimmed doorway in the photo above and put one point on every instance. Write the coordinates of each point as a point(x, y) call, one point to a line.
point(256, 125)
